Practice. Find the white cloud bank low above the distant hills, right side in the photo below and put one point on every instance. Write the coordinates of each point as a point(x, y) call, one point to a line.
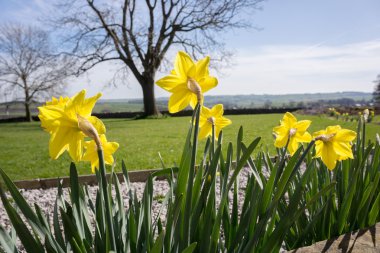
point(278, 69)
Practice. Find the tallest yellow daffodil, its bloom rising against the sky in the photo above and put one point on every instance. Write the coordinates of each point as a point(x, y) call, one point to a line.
point(187, 82)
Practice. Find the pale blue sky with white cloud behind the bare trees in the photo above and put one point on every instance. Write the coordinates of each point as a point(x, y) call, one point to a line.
point(301, 46)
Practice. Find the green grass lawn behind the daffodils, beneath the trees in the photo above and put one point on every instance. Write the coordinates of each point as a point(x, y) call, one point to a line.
point(24, 146)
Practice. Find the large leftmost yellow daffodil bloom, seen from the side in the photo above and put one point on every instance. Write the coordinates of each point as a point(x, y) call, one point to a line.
point(61, 121)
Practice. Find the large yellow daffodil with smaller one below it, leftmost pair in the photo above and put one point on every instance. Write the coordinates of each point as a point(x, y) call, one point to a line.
point(69, 121)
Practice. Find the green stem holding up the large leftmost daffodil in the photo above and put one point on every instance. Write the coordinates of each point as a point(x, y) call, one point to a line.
point(110, 228)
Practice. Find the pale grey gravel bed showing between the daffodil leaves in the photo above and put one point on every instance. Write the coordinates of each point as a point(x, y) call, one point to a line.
point(45, 198)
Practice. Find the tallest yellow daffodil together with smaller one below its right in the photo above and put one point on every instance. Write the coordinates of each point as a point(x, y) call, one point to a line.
point(187, 82)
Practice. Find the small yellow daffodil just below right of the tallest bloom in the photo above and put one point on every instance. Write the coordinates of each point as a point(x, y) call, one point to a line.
point(209, 117)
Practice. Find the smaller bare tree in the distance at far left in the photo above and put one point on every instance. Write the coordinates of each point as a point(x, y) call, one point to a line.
point(28, 68)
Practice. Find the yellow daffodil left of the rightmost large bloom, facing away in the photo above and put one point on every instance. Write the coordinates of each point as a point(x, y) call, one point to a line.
point(292, 130)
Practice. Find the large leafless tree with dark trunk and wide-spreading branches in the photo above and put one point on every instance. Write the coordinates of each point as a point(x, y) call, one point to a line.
point(139, 33)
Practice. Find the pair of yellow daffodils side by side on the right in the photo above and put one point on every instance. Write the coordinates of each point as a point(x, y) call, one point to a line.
point(331, 145)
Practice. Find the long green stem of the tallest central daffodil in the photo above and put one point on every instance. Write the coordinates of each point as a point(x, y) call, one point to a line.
point(186, 227)
